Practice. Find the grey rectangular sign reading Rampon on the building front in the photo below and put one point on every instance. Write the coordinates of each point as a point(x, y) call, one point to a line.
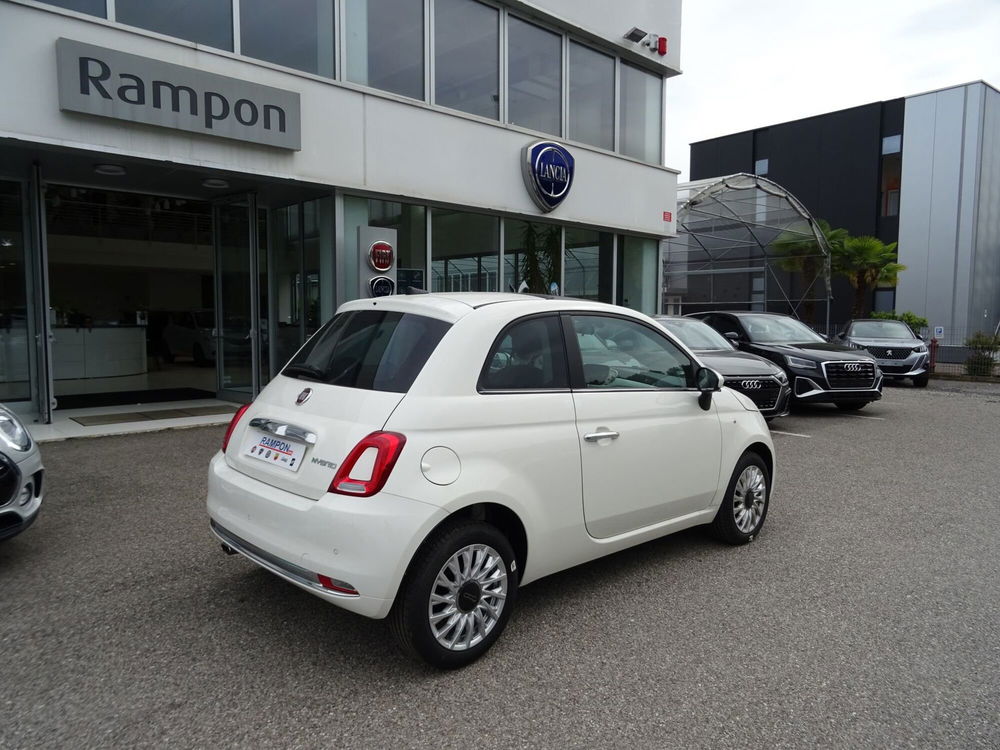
point(106, 82)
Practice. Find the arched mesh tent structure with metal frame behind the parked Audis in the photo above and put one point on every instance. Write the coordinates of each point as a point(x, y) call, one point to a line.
point(745, 243)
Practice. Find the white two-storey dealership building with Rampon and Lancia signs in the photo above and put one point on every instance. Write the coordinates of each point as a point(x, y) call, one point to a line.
point(189, 188)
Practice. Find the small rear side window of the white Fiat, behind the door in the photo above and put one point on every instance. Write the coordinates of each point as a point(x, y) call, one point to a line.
point(528, 355)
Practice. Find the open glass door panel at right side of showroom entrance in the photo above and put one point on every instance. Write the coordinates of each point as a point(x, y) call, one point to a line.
point(237, 308)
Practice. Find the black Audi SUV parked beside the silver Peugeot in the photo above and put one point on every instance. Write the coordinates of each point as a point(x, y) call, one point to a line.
point(819, 371)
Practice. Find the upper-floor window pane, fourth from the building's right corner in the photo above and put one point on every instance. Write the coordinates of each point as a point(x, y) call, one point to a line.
point(467, 57)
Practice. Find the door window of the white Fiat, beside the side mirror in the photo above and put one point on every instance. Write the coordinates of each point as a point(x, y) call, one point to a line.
point(620, 353)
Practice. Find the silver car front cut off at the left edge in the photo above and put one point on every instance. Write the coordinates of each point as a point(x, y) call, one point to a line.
point(20, 476)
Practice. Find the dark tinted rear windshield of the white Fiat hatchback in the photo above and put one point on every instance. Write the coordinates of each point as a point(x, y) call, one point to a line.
point(375, 350)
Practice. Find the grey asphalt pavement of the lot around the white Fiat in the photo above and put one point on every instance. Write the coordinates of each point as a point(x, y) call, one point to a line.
point(866, 614)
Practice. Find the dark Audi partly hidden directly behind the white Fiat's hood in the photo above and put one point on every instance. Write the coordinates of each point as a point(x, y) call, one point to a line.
point(763, 382)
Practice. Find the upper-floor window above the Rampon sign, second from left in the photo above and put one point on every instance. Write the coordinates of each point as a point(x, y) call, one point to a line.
point(208, 22)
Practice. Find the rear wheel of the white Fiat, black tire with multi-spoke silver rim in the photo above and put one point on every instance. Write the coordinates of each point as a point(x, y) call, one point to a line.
point(457, 596)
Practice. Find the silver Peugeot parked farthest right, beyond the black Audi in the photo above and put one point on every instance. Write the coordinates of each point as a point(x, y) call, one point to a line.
point(899, 352)
